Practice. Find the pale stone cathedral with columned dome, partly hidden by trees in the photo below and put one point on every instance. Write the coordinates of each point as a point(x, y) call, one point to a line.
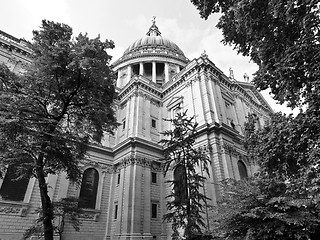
point(123, 183)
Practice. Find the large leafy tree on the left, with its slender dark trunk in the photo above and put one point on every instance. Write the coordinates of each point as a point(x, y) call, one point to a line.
point(51, 112)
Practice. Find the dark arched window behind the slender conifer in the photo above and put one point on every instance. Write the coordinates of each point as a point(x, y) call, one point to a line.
point(180, 185)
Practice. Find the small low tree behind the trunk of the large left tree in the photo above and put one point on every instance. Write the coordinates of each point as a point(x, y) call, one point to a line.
point(66, 209)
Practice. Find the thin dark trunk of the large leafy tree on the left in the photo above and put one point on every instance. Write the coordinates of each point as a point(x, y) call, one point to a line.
point(45, 202)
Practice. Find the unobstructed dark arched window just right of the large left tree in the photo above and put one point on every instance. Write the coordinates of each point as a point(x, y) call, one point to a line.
point(89, 188)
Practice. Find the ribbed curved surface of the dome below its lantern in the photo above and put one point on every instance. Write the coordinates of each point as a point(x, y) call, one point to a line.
point(153, 42)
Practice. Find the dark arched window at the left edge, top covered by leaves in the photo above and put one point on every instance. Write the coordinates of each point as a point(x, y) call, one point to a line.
point(13, 188)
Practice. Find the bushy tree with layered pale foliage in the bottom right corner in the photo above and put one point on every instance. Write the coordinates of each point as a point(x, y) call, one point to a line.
point(264, 208)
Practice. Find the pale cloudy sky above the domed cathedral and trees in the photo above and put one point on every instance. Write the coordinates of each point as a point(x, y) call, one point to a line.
point(124, 21)
